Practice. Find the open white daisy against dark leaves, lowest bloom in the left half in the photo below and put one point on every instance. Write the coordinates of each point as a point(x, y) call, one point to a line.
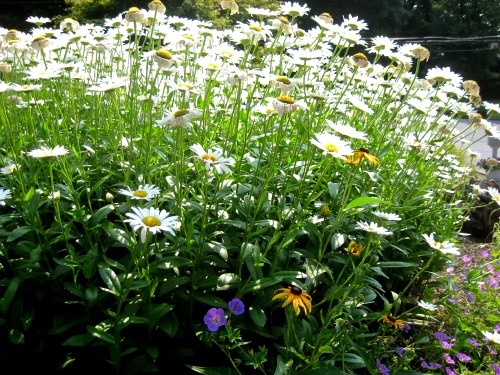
point(151, 220)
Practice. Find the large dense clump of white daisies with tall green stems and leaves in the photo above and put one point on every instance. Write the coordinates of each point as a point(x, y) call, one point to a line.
point(182, 166)
